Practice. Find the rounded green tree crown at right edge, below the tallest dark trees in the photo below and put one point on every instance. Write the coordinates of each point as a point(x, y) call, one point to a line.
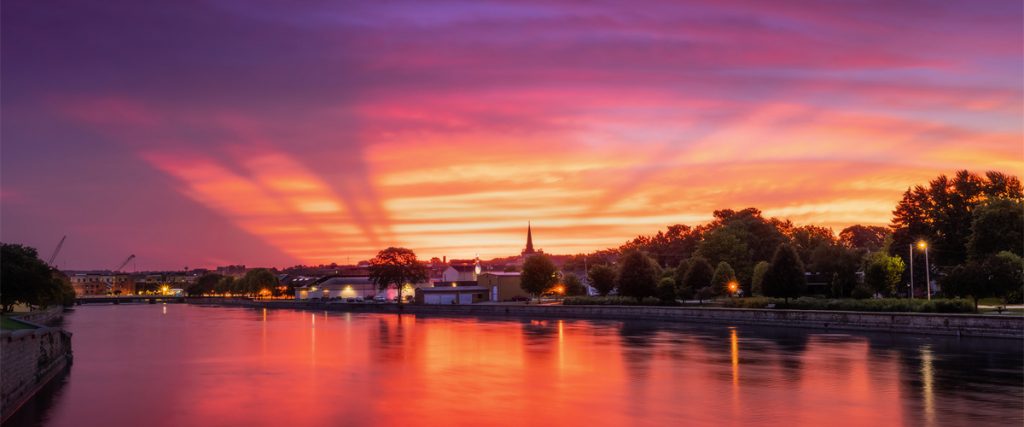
point(997, 226)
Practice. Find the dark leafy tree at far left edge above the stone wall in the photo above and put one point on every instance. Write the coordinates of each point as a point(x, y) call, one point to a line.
point(27, 280)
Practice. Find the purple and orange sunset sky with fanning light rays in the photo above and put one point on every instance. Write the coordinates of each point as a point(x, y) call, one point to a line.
point(204, 134)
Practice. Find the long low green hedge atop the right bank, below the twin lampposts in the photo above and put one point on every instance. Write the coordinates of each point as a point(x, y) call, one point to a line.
point(887, 306)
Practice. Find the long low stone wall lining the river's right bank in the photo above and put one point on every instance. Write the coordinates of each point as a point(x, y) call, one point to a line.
point(925, 324)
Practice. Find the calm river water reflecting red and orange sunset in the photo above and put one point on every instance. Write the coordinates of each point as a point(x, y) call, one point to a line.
point(181, 365)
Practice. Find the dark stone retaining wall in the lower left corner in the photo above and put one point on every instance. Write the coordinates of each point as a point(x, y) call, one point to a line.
point(31, 359)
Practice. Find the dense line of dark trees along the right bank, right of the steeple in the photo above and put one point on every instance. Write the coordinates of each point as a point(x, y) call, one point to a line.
point(972, 225)
